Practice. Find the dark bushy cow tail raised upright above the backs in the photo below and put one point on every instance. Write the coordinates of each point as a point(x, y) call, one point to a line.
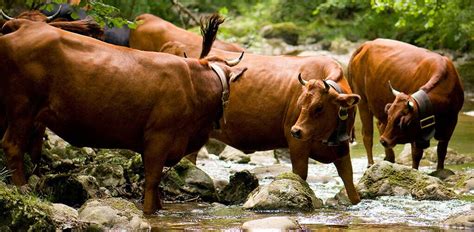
point(209, 32)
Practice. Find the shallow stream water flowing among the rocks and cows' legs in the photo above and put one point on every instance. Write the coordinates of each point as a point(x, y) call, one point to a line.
point(383, 213)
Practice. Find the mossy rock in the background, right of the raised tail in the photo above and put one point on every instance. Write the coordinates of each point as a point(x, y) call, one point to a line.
point(286, 31)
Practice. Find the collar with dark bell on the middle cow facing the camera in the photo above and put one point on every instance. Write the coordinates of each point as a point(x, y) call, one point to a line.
point(340, 134)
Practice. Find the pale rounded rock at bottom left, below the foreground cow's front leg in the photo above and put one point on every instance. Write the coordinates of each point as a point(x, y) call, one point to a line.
point(113, 214)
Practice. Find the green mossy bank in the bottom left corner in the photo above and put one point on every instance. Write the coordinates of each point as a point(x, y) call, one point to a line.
point(23, 212)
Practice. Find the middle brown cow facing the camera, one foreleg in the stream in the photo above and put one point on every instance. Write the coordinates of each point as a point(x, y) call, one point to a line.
point(270, 100)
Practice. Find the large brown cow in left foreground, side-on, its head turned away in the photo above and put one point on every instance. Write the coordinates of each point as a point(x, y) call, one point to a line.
point(95, 94)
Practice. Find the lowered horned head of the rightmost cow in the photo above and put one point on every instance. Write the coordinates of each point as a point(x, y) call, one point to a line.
point(401, 125)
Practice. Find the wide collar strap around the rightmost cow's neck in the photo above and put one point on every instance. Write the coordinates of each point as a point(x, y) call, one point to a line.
point(427, 118)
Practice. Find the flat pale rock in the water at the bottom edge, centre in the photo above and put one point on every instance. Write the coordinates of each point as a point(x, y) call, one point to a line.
point(272, 224)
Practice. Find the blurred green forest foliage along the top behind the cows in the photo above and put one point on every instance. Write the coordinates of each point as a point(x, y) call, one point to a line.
point(433, 24)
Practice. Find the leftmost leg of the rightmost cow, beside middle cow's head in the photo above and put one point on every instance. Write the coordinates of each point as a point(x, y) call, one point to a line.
point(367, 130)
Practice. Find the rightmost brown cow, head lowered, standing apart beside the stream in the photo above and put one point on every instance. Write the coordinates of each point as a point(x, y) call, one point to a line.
point(431, 96)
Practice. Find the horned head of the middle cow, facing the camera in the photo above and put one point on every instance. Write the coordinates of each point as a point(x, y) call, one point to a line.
point(319, 105)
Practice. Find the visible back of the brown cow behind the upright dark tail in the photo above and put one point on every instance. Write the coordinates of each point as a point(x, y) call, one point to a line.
point(153, 32)
